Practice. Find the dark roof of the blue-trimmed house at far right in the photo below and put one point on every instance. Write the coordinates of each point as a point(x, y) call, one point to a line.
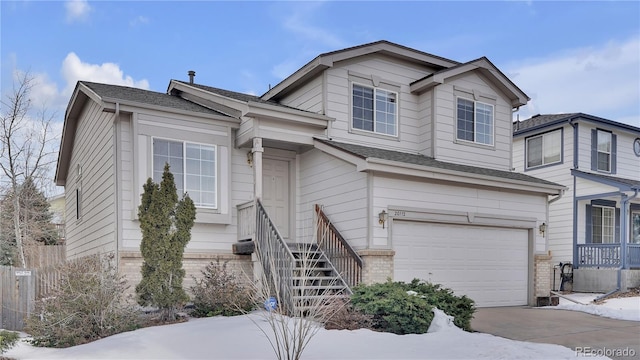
point(539, 122)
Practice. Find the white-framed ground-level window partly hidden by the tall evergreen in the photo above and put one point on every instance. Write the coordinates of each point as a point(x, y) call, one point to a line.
point(193, 167)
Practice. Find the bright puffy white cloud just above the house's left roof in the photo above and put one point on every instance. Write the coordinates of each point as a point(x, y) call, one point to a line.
point(73, 69)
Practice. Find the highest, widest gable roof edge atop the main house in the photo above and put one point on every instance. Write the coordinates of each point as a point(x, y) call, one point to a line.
point(326, 60)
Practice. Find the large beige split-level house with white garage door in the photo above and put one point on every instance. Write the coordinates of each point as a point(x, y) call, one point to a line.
point(408, 155)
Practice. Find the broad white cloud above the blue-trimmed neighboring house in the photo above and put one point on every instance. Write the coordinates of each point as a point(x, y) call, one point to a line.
point(600, 80)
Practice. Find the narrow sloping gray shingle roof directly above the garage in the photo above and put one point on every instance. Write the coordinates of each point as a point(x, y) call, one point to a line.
point(365, 152)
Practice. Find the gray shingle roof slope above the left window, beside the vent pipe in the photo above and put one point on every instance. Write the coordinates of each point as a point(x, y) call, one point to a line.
point(125, 93)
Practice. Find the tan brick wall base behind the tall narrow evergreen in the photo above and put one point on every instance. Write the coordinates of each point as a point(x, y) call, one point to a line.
point(193, 264)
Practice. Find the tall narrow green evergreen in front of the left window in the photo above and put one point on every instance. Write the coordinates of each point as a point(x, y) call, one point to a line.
point(166, 229)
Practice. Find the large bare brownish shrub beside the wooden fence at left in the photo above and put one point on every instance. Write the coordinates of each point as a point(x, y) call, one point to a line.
point(88, 304)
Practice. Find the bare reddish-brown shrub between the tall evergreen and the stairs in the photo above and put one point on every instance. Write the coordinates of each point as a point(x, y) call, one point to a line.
point(219, 293)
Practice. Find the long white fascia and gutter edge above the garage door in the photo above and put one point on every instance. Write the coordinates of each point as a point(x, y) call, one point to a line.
point(389, 166)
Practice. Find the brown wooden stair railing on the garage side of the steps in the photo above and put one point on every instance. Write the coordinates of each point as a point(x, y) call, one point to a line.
point(346, 261)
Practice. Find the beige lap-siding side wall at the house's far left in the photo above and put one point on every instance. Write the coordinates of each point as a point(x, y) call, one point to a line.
point(93, 151)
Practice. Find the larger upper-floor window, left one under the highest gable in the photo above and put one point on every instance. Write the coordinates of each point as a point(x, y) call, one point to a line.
point(375, 110)
